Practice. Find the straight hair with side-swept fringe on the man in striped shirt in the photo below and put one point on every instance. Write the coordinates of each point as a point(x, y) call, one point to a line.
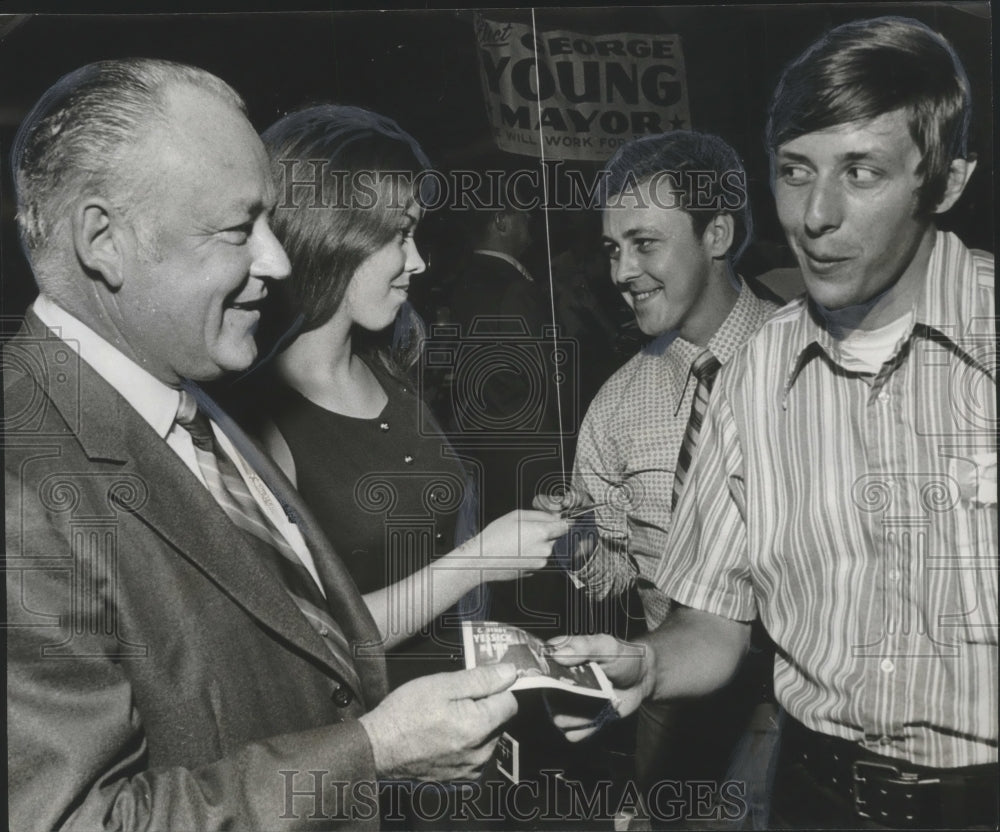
point(863, 69)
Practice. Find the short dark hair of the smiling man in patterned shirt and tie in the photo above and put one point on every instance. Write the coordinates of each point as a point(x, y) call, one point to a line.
point(707, 176)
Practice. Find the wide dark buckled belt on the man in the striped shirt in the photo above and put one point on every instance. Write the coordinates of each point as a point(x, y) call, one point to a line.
point(893, 792)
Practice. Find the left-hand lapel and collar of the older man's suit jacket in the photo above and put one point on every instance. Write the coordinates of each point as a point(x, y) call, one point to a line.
point(108, 429)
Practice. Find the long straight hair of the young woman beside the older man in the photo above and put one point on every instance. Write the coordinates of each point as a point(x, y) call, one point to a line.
point(345, 175)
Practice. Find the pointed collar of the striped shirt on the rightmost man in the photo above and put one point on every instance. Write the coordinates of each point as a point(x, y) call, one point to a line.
point(946, 305)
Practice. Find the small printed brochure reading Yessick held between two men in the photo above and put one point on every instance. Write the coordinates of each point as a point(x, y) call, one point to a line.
point(490, 642)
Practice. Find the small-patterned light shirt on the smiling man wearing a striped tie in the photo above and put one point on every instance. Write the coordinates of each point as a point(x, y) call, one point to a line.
point(628, 447)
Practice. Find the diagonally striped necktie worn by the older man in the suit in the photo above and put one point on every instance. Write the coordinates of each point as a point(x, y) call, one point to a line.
point(231, 493)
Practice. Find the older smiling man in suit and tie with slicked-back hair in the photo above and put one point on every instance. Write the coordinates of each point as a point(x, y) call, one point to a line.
point(184, 650)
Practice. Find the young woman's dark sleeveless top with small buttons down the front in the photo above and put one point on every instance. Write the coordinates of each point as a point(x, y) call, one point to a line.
point(388, 493)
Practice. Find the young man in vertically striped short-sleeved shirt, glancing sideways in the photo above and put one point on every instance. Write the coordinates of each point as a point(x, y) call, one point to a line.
point(845, 483)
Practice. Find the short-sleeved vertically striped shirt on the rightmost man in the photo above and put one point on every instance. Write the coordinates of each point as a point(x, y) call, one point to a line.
point(859, 515)
